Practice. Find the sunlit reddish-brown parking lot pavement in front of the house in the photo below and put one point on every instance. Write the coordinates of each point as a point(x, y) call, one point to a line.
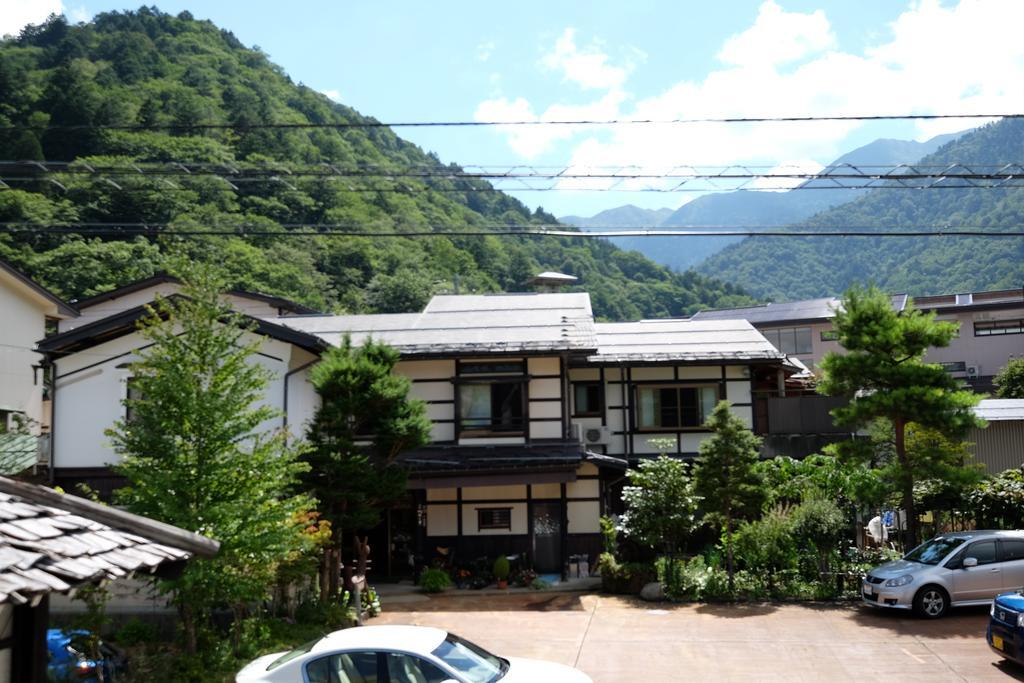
point(615, 639)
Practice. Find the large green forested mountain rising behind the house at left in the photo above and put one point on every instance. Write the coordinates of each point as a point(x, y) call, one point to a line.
point(150, 78)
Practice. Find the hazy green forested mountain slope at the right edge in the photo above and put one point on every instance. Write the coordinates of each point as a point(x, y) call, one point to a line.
point(805, 268)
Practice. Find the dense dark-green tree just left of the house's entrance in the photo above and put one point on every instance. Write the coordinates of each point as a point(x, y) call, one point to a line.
point(366, 420)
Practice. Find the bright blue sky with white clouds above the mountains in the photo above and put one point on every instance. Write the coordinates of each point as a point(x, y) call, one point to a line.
point(647, 59)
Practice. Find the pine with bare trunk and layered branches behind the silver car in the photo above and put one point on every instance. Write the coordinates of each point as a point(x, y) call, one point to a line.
point(885, 377)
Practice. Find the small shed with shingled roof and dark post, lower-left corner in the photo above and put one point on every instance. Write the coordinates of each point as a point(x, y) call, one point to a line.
point(55, 543)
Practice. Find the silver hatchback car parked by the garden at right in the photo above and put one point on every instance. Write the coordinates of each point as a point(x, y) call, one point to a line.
point(950, 571)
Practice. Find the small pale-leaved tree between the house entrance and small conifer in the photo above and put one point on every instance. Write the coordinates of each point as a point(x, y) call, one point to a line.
point(661, 505)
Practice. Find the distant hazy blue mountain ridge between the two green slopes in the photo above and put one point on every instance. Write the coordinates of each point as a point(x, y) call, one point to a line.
point(753, 209)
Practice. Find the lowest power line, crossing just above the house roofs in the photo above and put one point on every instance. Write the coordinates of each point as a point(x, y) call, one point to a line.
point(349, 231)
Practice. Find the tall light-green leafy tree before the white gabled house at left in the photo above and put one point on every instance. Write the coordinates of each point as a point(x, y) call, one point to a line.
point(197, 453)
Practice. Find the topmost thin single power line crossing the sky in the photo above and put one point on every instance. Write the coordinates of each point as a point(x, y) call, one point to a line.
point(523, 122)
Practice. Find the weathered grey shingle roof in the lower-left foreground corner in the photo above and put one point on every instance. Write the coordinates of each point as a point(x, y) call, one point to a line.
point(51, 542)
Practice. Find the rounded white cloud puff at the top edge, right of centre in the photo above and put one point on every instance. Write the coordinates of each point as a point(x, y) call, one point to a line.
point(779, 37)
